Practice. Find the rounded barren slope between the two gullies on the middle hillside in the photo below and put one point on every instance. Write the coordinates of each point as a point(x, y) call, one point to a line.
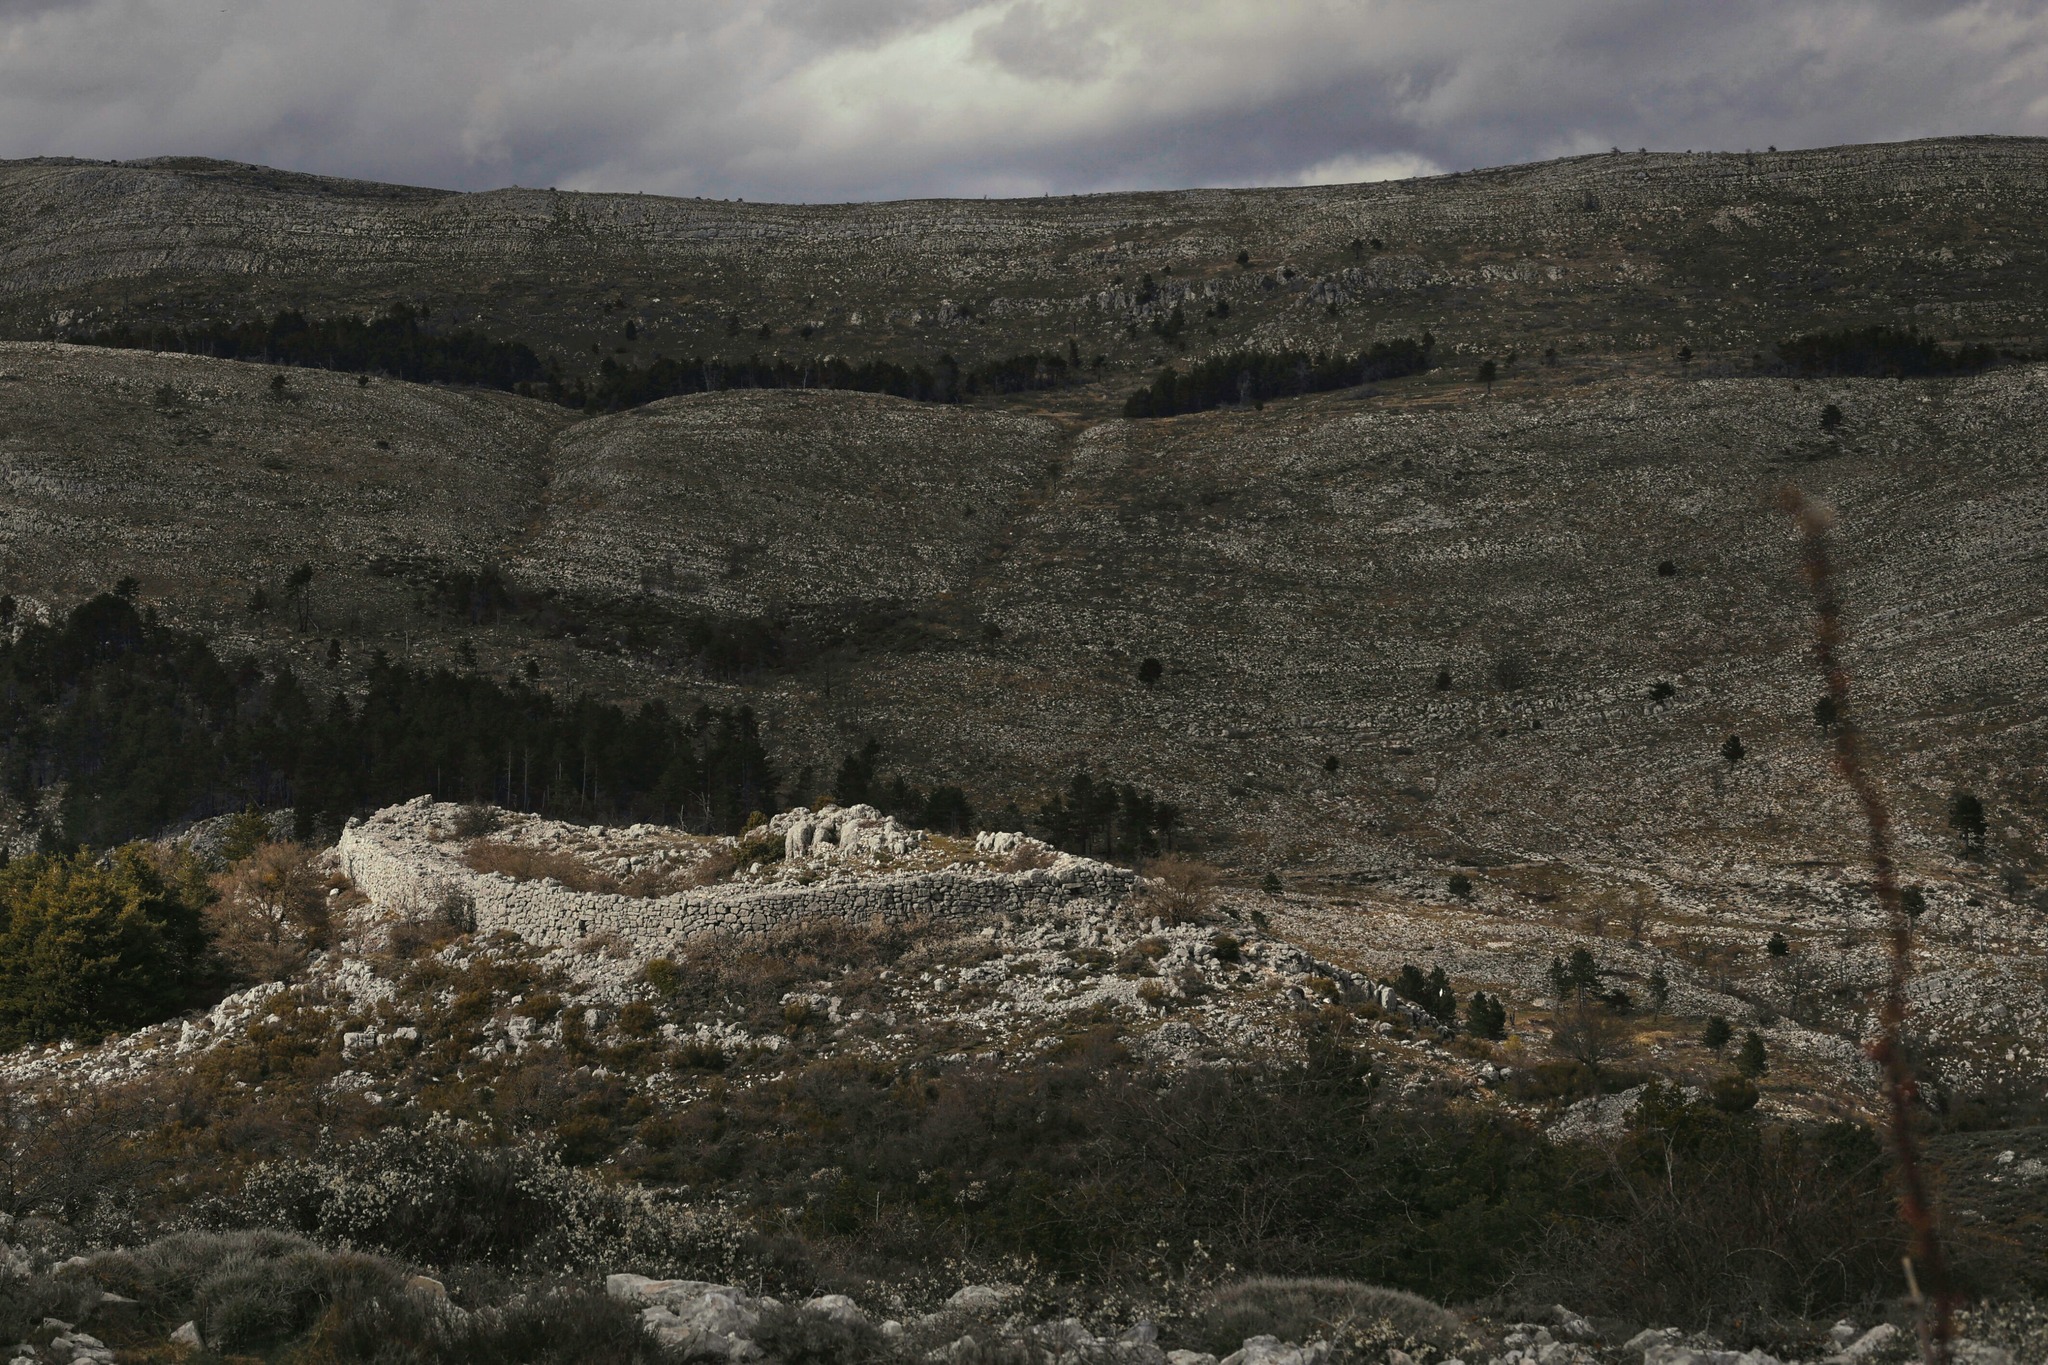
point(753, 502)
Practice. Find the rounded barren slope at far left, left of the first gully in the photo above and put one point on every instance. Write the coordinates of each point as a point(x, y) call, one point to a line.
point(204, 484)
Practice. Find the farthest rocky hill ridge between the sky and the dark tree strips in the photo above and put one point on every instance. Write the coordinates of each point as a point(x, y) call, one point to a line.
point(1603, 255)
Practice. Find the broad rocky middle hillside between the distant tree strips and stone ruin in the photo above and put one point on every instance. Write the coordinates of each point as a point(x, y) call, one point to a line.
point(1459, 627)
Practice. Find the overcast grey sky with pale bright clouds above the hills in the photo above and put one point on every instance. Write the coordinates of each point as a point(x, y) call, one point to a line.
point(882, 99)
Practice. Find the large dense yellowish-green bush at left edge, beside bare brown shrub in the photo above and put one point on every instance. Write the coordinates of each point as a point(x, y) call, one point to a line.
point(91, 949)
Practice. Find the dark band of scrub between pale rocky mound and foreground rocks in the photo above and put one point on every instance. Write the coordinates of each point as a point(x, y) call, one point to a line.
point(1091, 1165)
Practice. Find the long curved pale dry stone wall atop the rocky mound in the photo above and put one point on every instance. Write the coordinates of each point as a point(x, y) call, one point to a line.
point(394, 858)
